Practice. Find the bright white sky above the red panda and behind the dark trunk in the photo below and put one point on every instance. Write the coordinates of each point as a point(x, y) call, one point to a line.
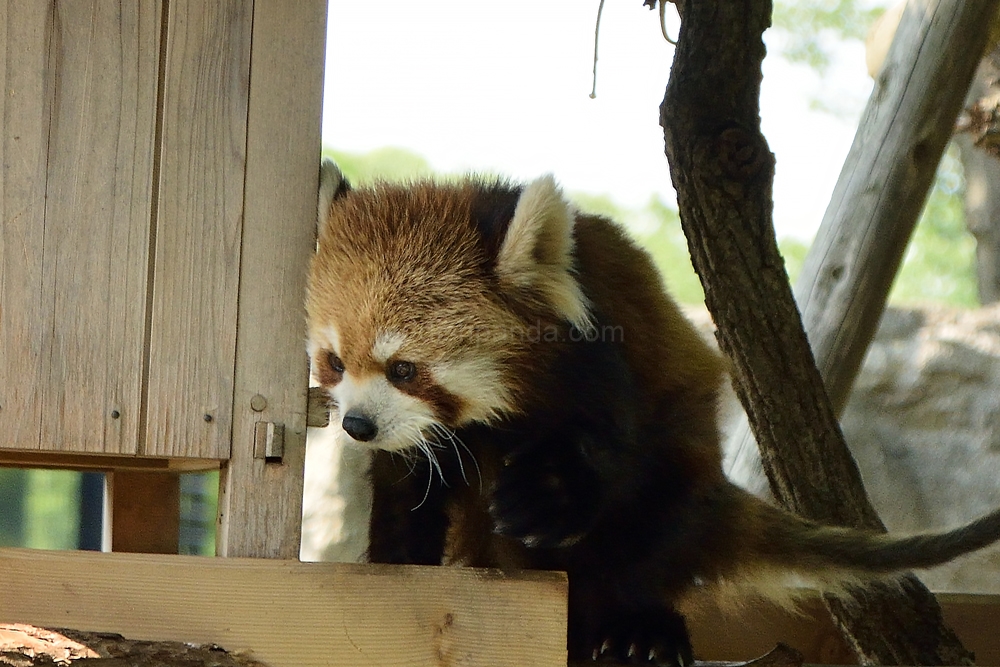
point(504, 87)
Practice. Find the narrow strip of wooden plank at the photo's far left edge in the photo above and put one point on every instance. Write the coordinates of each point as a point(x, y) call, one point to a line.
point(24, 110)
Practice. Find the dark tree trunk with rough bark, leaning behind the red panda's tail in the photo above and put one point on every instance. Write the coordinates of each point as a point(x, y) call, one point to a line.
point(722, 170)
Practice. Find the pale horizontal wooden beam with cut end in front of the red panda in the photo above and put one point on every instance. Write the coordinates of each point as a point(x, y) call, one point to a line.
point(292, 614)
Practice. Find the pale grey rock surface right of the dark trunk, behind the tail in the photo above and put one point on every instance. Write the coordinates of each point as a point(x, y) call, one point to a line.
point(924, 425)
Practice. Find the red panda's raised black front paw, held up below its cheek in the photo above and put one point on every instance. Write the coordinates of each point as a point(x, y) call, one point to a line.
point(544, 498)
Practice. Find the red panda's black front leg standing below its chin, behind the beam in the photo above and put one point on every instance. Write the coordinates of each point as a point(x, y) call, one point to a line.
point(408, 521)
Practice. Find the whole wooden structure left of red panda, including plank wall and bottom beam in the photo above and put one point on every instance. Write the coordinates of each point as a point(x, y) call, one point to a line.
point(158, 175)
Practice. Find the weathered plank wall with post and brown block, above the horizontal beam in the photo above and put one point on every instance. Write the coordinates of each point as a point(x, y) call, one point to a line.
point(157, 201)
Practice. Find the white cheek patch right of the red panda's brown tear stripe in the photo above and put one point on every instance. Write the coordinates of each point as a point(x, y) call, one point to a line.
point(478, 383)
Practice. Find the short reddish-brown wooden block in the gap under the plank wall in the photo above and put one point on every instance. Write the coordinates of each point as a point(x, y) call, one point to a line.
point(145, 511)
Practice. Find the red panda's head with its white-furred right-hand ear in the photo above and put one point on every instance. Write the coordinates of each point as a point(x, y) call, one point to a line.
point(418, 301)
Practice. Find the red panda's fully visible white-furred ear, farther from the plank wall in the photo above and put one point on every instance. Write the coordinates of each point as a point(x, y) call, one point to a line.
point(537, 251)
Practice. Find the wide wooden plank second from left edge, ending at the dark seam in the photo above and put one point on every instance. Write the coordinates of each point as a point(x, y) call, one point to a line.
point(105, 58)
